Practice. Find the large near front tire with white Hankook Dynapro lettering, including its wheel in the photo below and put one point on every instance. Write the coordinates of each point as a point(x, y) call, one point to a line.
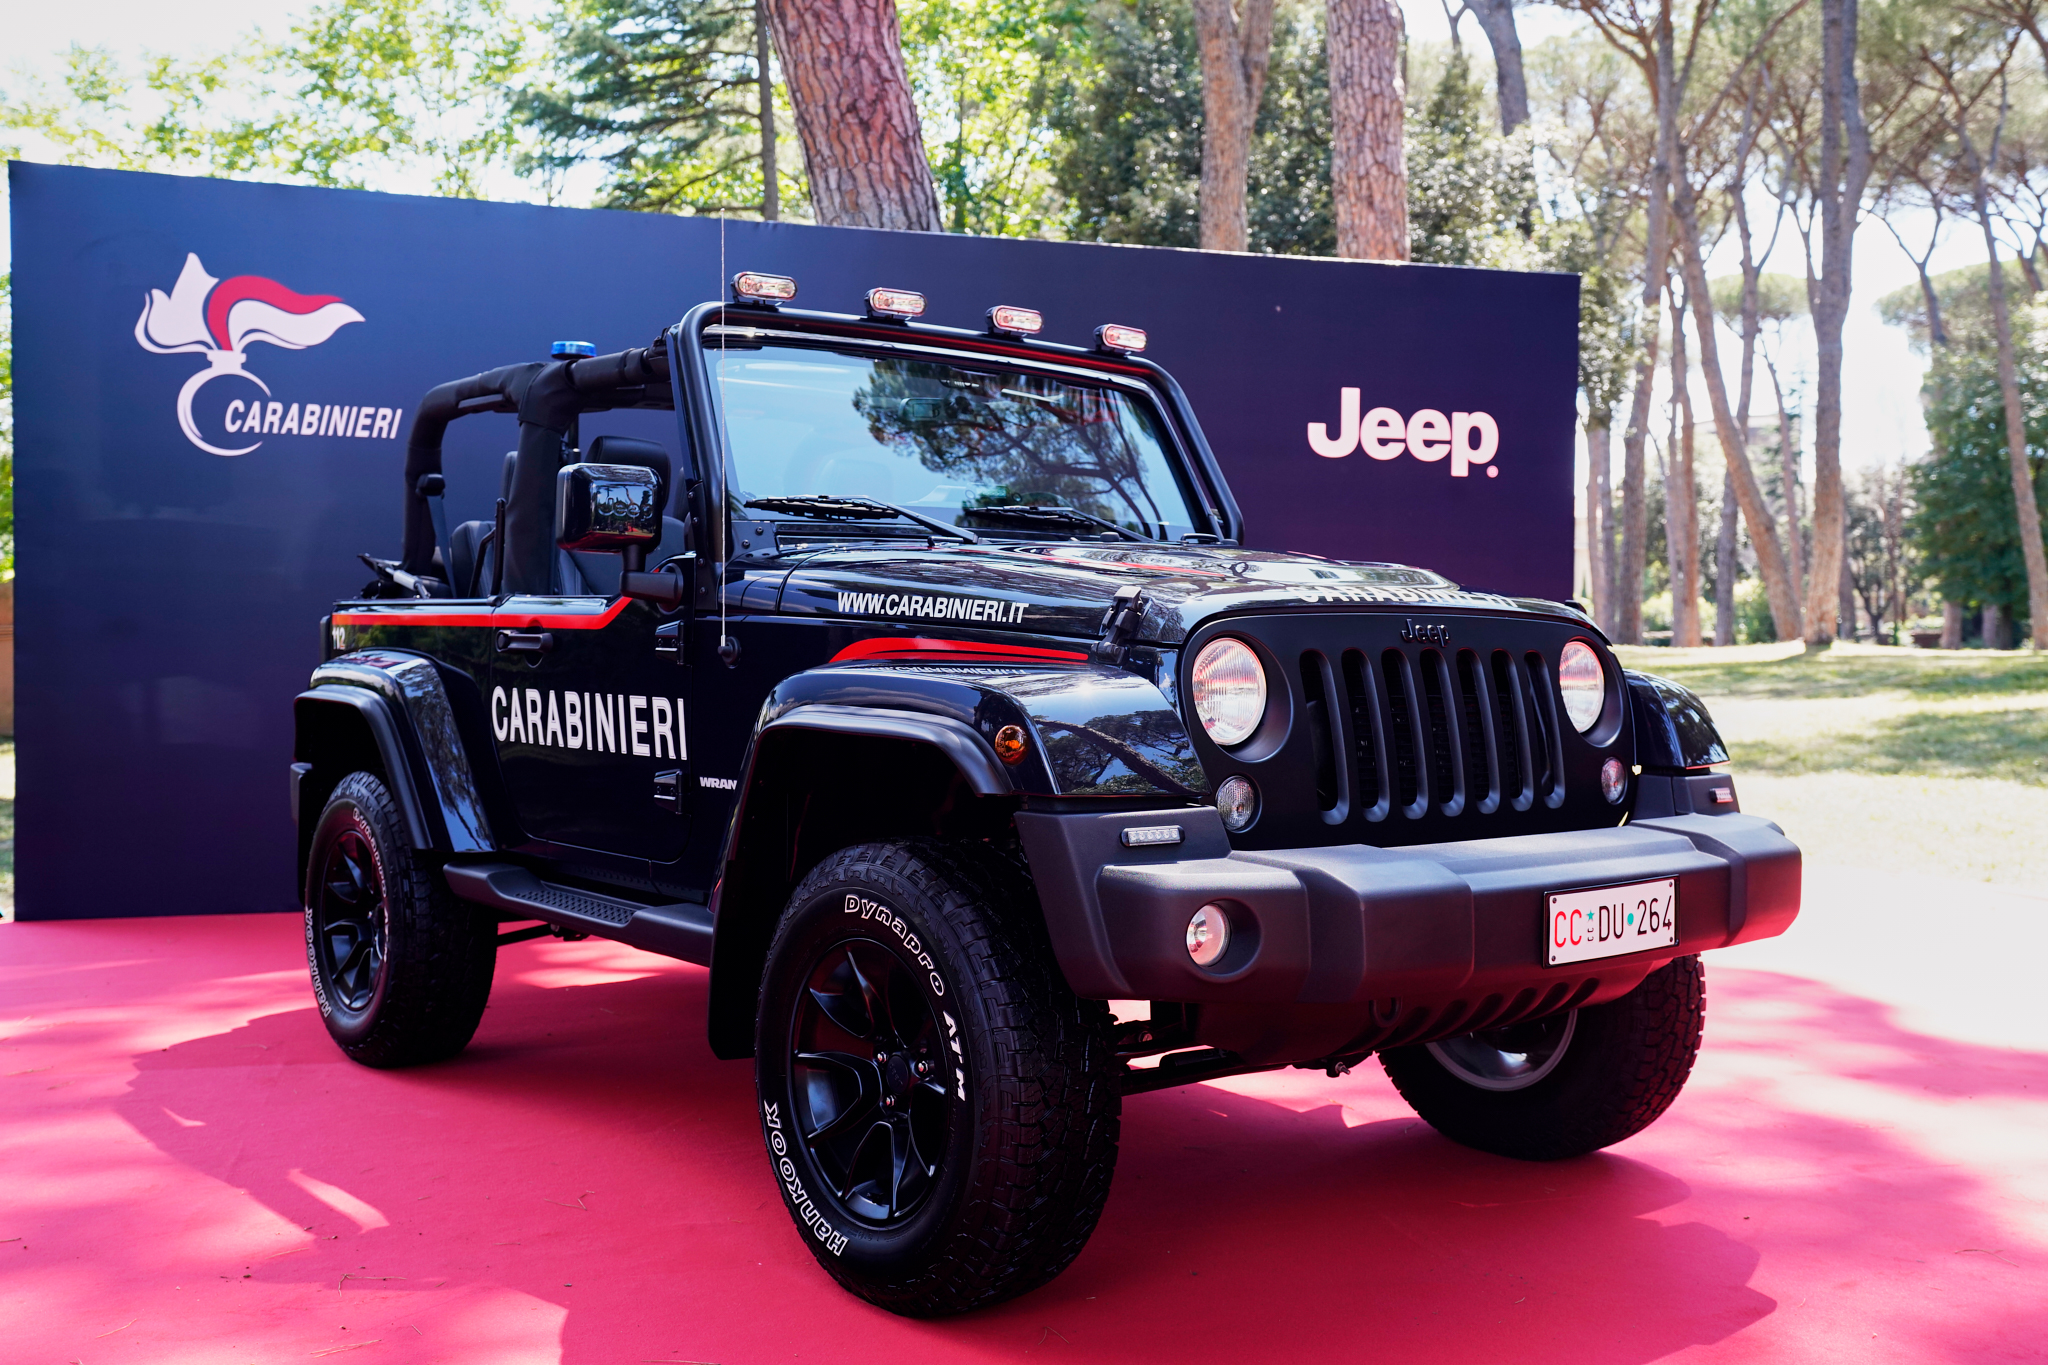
point(939, 1108)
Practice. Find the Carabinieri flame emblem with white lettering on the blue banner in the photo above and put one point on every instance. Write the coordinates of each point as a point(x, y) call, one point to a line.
point(222, 320)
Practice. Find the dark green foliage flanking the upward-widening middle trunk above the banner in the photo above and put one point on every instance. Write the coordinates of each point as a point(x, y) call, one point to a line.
point(1127, 109)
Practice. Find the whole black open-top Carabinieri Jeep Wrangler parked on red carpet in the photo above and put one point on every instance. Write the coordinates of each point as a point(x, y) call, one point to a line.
point(923, 693)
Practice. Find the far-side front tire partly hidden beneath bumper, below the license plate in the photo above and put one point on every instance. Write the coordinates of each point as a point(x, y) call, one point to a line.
point(1564, 1086)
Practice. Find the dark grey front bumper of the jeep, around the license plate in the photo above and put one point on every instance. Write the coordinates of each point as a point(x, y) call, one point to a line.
point(1394, 930)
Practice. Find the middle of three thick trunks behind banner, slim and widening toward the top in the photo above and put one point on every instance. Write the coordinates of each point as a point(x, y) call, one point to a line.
point(1236, 44)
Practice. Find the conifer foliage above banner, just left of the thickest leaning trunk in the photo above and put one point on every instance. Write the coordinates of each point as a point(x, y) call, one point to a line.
point(665, 95)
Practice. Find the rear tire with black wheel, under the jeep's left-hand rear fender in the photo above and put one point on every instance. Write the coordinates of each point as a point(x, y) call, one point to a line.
point(402, 969)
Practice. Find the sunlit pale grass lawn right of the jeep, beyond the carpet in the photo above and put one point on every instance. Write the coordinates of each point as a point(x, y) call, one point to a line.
point(1910, 760)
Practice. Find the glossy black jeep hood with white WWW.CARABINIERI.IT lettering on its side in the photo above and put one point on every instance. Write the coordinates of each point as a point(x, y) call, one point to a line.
point(1066, 588)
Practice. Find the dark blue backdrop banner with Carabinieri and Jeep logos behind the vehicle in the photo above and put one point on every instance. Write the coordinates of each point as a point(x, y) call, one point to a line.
point(214, 384)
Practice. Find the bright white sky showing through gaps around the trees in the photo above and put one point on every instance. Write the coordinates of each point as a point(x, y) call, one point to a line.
point(1881, 376)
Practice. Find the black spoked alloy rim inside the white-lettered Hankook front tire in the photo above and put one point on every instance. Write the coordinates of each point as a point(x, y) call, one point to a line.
point(867, 1082)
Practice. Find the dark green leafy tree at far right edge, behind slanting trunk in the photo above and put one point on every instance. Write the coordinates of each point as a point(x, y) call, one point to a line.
point(1965, 523)
